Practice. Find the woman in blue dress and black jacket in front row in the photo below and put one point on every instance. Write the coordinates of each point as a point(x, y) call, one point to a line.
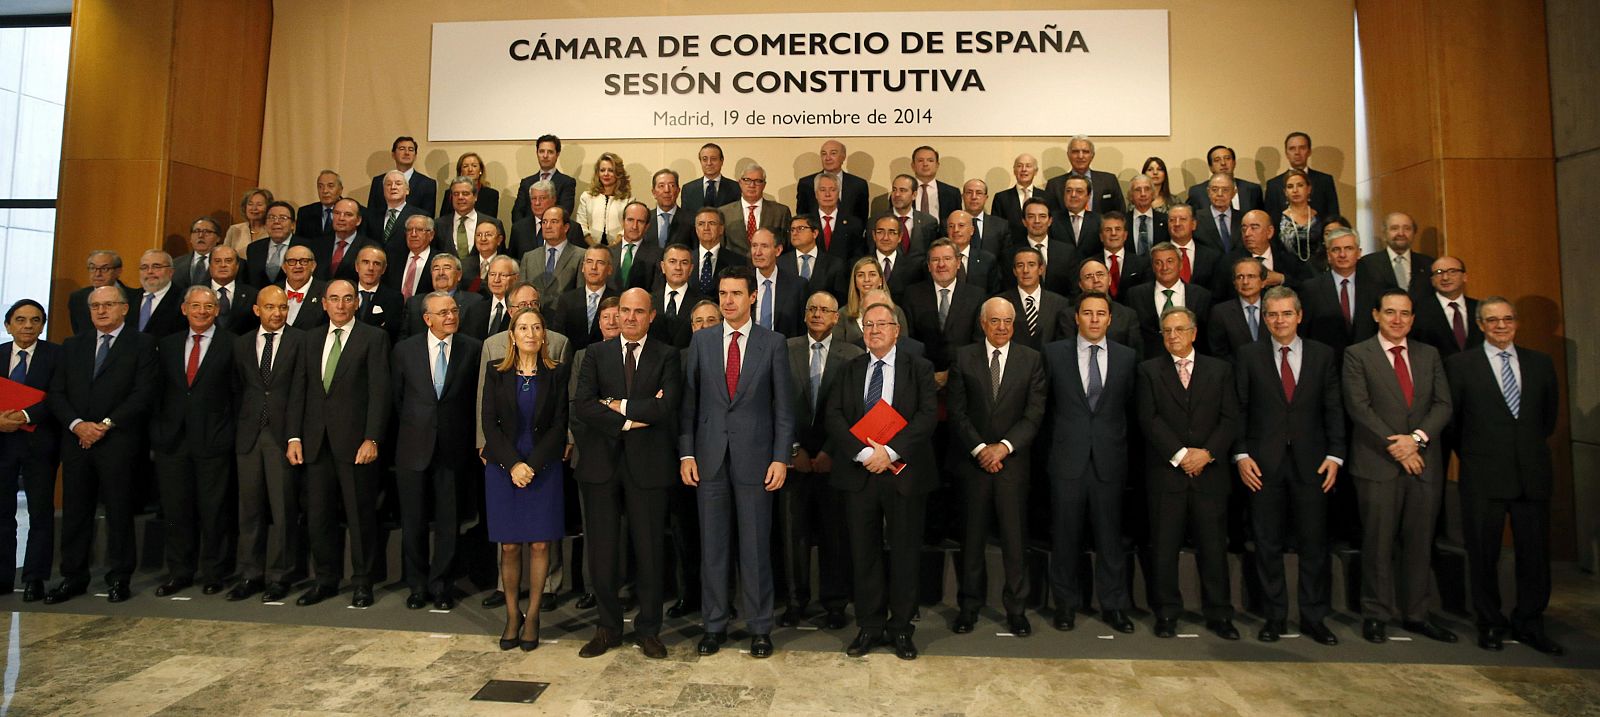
point(524, 436)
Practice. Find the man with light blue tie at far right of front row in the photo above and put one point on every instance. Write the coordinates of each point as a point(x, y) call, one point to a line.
point(1506, 401)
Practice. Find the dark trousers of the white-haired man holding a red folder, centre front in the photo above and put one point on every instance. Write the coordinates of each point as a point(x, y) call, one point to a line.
point(871, 513)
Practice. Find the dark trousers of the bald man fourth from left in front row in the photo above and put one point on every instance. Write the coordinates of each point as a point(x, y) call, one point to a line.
point(270, 511)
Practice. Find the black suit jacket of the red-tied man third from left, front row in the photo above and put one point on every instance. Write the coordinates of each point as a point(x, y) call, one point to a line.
point(196, 419)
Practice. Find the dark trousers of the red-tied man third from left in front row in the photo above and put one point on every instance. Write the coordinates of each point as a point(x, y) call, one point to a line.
point(198, 515)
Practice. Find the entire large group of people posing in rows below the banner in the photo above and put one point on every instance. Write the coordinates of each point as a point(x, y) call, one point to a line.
point(730, 383)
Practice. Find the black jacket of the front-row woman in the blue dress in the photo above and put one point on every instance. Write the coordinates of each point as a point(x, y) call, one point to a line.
point(502, 419)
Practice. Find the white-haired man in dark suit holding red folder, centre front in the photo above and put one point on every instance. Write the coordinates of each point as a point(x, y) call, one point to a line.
point(886, 484)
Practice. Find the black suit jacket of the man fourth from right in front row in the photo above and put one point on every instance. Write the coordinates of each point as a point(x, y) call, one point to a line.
point(1206, 415)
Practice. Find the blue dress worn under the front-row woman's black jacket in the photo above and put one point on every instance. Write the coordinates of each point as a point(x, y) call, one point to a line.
point(530, 515)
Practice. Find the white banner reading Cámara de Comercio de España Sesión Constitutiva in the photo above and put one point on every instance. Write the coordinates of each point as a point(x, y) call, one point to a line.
point(836, 74)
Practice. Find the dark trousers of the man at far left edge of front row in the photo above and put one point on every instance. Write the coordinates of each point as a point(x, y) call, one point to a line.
point(36, 478)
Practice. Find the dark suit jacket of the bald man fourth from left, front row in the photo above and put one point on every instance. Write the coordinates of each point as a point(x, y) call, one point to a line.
point(281, 399)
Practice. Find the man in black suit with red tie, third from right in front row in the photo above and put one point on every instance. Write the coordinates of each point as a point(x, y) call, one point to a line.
point(1289, 454)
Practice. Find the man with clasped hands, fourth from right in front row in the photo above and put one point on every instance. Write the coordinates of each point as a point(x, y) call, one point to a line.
point(1190, 417)
